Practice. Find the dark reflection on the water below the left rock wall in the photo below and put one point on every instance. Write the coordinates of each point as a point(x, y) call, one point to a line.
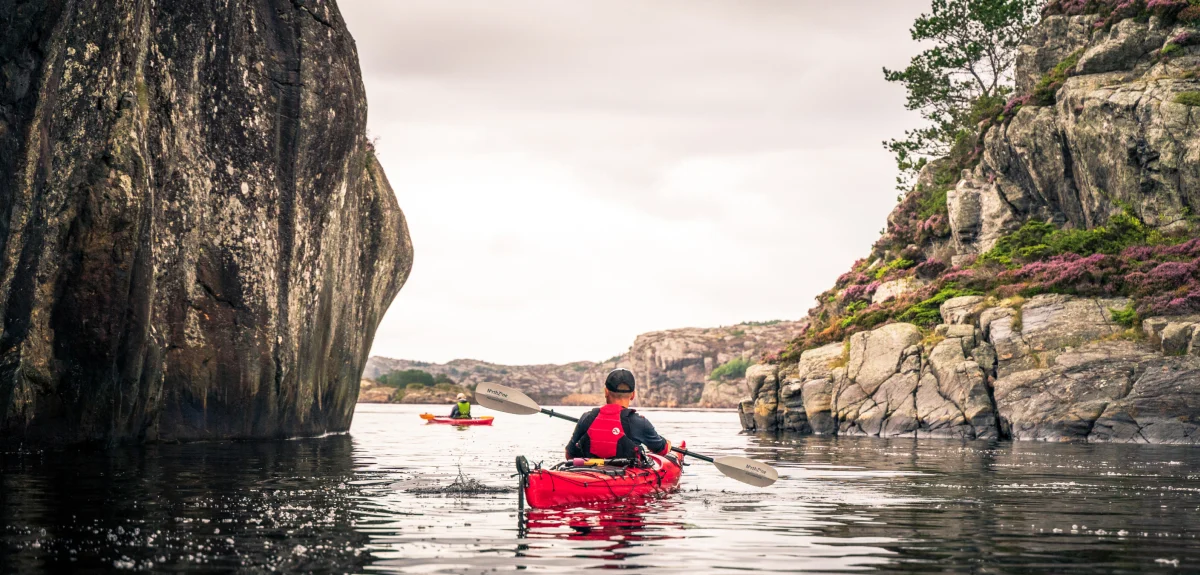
point(219, 506)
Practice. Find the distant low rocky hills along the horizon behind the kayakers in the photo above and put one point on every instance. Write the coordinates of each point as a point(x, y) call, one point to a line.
point(673, 368)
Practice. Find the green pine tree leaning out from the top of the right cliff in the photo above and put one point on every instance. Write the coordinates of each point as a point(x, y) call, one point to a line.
point(963, 73)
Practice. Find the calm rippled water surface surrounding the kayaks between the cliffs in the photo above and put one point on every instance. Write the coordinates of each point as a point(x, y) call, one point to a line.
point(353, 504)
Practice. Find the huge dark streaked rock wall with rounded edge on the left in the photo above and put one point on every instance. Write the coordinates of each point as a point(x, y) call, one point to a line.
point(196, 239)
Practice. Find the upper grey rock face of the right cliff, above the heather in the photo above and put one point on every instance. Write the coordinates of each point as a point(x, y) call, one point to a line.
point(1115, 137)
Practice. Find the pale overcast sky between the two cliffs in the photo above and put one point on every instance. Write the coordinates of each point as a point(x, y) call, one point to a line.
point(579, 172)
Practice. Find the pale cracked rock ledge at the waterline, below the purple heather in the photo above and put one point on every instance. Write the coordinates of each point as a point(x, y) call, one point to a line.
point(1066, 372)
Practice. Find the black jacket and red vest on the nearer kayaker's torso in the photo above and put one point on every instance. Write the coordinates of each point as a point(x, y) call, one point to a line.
point(617, 433)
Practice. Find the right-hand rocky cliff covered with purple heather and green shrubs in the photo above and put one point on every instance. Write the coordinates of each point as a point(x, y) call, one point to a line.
point(1054, 298)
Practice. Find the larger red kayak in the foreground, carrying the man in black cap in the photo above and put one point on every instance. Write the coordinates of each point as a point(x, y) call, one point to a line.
point(574, 486)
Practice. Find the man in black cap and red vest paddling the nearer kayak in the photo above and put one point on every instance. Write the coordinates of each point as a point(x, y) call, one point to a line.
point(615, 432)
